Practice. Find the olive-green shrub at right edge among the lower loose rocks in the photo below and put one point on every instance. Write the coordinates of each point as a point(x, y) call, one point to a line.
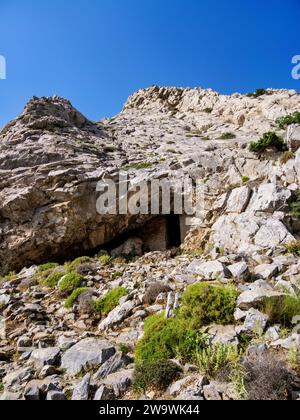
point(282, 309)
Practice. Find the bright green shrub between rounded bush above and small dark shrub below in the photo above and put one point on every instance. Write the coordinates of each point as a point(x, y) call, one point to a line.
point(168, 338)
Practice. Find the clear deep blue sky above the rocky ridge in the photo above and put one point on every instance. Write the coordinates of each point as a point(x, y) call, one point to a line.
point(97, 52)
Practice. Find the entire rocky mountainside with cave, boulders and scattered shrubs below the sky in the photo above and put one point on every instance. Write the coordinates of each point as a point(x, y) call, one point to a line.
point(76, 329)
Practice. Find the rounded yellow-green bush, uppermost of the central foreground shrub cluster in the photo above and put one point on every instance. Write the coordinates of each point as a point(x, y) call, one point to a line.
point(204, 304)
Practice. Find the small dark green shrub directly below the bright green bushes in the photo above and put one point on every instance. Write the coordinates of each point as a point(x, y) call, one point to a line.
point(157, 375)
